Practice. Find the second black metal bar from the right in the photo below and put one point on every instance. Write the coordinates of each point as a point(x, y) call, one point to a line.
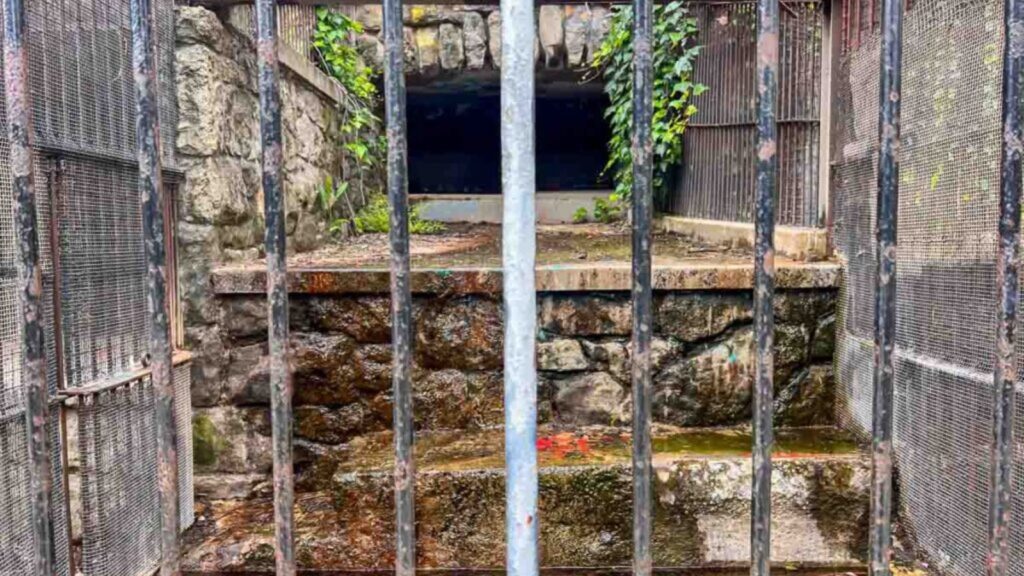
point(885, 297)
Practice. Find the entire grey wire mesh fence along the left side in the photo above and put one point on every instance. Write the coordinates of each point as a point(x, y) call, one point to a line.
point(80, 76)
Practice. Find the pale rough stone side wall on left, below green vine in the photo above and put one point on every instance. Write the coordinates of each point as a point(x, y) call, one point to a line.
point(221, 203)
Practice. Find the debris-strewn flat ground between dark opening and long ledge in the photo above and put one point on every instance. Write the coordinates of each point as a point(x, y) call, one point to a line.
point(480, 245)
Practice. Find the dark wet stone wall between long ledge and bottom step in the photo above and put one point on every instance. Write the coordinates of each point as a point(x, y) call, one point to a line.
point(704, 366)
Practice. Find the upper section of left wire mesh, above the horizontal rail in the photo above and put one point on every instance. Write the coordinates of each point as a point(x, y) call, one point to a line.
point(80, 70)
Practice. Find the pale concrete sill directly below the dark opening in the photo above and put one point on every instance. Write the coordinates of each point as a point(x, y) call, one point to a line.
point(552, 208)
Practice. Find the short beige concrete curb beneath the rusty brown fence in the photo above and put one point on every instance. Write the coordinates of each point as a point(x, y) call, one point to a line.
point(799, 243)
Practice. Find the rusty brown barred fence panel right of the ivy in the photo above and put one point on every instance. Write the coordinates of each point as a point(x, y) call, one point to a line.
point(717, 180)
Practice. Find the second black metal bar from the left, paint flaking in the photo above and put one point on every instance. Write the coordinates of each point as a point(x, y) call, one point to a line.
point(152, 193)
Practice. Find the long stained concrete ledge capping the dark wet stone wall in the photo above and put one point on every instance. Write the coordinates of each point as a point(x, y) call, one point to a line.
point(611, 277)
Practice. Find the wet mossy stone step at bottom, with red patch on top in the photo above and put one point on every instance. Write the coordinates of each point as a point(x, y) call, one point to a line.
point(702, 517)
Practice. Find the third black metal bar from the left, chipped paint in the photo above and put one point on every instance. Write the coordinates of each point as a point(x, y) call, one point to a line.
point(277, 284)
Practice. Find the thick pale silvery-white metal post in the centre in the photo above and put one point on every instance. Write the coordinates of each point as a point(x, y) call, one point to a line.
point(519, 255)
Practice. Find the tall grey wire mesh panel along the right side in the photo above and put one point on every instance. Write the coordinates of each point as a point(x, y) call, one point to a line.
point(946, 279)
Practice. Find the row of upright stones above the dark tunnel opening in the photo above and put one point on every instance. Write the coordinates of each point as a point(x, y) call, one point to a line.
point(452, 39)
